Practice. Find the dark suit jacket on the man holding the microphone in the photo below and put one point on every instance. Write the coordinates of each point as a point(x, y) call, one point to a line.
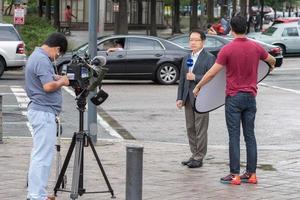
point(185, 88)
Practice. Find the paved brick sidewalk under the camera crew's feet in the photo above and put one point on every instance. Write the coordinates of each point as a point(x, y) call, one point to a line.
point(163, 176)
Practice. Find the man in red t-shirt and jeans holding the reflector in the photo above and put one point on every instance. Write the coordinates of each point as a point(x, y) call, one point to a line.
point(241, 58)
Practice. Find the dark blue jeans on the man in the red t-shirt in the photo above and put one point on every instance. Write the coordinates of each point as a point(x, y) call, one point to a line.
point(241, 108)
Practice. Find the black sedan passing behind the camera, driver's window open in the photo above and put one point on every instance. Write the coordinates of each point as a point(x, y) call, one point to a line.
point(141, 58)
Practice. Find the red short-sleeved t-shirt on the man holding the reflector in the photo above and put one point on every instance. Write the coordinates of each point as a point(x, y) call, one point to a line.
point(241, 58)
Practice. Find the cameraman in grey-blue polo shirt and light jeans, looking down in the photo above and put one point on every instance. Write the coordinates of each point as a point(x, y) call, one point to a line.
point(43, 87)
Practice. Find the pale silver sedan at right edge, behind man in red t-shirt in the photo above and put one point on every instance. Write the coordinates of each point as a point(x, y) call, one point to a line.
point(284, 35)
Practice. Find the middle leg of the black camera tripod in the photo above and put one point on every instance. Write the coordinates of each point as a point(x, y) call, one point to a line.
point(77, 166)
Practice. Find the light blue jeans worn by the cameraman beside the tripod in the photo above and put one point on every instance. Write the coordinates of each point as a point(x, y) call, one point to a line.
point(44, 135)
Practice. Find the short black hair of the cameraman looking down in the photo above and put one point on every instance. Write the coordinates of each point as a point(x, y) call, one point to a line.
point(57, 40)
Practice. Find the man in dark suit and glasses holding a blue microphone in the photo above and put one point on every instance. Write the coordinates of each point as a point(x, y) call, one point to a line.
point(196, 124)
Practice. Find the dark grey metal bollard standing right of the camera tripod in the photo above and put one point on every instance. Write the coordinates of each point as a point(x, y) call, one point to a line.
point(134, 172)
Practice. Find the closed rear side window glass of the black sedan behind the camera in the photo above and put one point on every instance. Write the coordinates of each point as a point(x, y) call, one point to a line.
point(143, 44)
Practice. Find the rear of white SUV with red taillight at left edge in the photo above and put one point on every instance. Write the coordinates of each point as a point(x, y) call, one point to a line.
point(12, 48)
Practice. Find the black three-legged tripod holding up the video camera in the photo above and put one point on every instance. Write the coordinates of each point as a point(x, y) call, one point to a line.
point(80, 140)
